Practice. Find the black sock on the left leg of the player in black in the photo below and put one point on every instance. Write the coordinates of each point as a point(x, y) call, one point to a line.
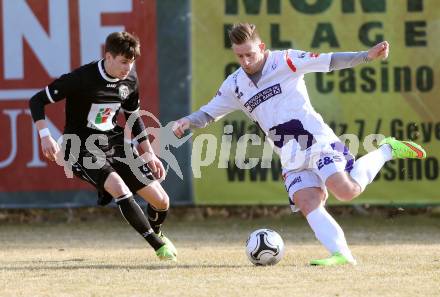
point(136, 218)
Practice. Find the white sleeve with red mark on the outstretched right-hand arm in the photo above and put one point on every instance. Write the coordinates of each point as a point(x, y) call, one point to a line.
point(306, 62)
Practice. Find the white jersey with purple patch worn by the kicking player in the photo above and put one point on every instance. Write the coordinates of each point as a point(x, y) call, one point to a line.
point(279, 102)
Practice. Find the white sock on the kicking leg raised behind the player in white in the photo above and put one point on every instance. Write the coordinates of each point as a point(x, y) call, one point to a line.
point(366, 168)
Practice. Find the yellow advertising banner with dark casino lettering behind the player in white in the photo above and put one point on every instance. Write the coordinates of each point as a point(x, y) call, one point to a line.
point(397, 97)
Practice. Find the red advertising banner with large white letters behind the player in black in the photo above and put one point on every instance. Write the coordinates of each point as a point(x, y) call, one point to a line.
point(39, 41)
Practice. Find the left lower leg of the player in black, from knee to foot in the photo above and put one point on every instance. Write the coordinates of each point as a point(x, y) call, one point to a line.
point(134, 215)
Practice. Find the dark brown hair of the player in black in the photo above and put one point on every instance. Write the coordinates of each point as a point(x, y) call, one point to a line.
point(124, 44)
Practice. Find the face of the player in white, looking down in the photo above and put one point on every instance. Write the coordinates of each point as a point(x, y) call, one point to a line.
point(250, 55)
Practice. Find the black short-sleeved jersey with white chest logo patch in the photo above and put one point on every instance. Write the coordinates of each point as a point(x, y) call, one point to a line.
point(93, 98)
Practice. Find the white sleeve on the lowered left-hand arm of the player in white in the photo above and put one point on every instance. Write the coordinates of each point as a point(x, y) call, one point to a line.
point(224, 102)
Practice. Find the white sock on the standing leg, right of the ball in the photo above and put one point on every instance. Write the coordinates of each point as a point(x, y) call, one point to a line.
point(328, 232)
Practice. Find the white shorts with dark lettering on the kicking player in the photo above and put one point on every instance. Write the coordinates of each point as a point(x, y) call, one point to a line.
point(320, 167)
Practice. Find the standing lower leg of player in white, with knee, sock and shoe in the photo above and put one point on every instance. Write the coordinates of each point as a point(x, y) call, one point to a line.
point(326, 229)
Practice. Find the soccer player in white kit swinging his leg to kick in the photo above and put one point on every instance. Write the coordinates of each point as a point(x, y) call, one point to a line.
point(269, 87)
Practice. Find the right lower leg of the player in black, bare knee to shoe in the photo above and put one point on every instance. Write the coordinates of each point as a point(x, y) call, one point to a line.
point(157, 210)
